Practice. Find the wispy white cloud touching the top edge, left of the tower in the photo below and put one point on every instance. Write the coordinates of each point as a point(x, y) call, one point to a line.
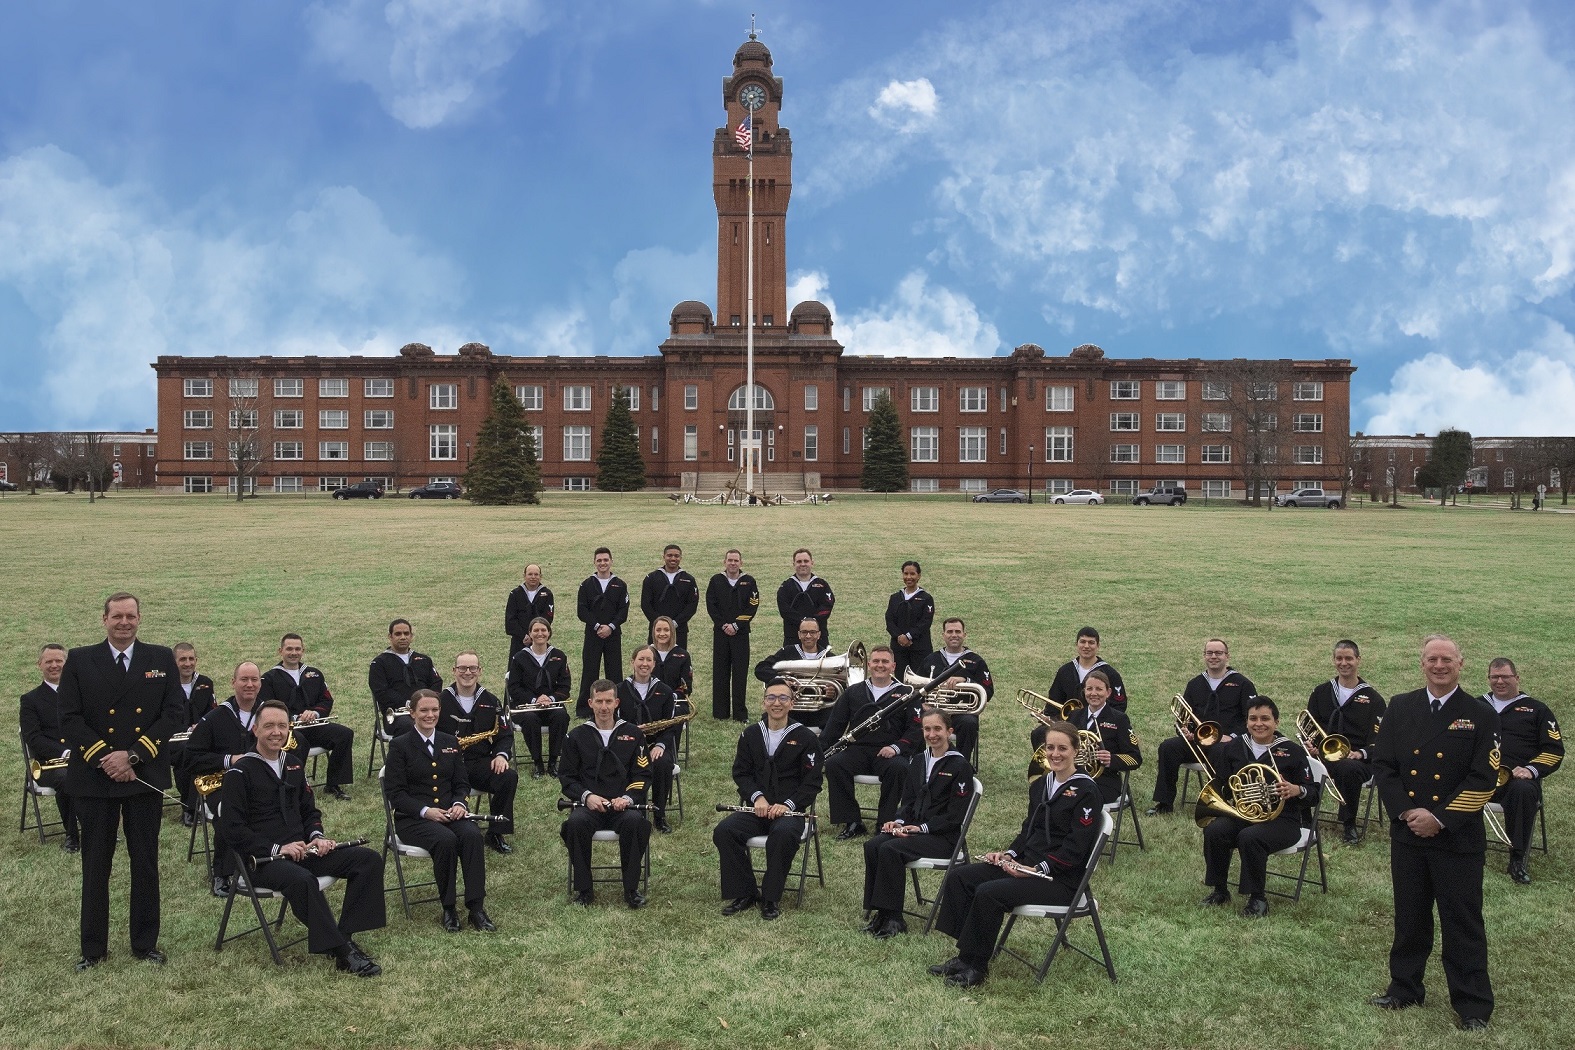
point(429, 61)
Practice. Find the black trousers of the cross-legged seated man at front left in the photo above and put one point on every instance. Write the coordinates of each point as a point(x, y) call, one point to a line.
point(357, 867)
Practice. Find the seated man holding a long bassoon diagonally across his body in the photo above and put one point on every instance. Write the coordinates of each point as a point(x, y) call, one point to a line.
point(880, 749)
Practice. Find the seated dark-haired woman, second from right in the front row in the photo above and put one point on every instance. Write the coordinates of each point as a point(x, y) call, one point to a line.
point(936, 797)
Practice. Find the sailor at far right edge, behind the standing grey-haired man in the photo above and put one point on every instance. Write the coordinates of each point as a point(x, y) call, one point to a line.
point(1533, 750)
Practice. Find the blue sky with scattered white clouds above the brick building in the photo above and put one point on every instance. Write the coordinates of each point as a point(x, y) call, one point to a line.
point(1393, 183)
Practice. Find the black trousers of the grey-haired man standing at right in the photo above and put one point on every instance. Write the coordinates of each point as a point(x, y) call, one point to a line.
point(1423, 878)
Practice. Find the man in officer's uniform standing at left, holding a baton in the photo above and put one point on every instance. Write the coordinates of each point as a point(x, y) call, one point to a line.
point(119, 701)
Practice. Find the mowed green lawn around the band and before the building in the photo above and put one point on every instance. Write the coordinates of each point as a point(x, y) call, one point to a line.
point(1281, 586)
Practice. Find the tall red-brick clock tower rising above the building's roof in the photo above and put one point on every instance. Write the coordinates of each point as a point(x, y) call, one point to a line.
point(752, 92)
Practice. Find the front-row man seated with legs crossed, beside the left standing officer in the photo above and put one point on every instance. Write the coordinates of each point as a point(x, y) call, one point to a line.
point(269, 815)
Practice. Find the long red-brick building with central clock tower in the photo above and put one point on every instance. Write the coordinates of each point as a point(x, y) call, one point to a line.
point(1054, 423)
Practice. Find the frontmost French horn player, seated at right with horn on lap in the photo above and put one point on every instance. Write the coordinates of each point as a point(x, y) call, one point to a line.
point(1262, 745)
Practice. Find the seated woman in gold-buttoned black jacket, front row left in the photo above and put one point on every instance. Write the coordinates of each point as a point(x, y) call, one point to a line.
point(428, 788)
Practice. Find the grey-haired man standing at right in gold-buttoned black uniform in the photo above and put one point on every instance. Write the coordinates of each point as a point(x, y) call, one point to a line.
point(1437, 764)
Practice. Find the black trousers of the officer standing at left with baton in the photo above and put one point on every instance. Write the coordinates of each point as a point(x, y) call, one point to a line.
point(102, 818)
